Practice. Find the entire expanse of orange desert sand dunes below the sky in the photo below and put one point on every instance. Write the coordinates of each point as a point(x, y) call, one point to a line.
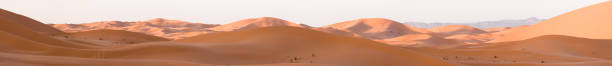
point(577, 38)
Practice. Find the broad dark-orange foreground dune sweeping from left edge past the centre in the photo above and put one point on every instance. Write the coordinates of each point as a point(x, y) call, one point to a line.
point(268, 46)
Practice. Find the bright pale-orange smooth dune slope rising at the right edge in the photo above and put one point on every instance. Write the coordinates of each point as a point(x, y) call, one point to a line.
point(589, 22)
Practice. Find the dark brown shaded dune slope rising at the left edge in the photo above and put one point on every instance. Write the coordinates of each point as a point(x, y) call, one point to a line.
point(13, 29)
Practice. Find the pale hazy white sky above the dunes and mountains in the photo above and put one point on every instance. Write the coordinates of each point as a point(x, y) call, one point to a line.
point(311, 12)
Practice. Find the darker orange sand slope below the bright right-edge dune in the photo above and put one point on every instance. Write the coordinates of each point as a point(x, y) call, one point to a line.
point(562, 45)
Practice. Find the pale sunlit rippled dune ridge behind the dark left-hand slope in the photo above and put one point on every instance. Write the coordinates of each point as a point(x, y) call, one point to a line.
point(172, 29)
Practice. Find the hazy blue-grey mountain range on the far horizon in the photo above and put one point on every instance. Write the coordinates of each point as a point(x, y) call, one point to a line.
point(482, 24)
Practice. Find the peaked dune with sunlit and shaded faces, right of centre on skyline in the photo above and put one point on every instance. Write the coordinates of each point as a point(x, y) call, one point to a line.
point(376, 28)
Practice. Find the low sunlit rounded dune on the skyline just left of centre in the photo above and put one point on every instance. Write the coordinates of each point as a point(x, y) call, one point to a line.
point(255, 23)
